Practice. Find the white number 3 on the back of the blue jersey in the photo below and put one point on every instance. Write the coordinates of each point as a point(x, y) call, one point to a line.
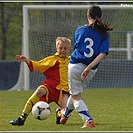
point(90, 47)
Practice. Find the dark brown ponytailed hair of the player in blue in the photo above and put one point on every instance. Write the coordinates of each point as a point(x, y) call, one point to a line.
point(101, 27)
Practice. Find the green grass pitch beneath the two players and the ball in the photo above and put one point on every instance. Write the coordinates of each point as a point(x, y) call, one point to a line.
point(111, 110)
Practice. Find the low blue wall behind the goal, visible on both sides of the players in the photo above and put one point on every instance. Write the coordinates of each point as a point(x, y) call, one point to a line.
point(120, 77)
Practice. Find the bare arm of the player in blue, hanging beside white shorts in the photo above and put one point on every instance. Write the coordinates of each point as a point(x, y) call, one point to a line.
point(97, 60)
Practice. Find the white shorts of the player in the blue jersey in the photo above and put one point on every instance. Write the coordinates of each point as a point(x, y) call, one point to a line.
point(76, 84)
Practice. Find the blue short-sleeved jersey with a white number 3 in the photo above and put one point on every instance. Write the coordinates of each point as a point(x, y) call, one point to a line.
point(88, 44)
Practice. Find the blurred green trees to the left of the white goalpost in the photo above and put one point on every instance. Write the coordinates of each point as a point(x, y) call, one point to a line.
point(11, 26)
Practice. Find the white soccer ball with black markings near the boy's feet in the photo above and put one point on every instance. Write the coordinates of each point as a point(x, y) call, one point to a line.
point(41, 110)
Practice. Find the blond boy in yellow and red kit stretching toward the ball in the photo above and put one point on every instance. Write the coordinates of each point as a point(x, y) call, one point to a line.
point(55, 87)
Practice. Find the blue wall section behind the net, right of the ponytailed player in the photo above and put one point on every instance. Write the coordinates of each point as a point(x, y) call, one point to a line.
point(120, 77)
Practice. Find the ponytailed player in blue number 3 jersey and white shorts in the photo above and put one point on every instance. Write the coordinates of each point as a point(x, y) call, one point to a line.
point(91, 46)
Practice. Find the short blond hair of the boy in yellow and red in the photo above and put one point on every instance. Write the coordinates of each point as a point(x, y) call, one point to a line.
point(63, 40)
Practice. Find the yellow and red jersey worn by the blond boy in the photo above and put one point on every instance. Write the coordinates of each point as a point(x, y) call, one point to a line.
point(55, 68)
